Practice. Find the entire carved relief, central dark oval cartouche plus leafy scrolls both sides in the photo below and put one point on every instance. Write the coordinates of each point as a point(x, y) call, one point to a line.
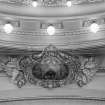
point(50, 68)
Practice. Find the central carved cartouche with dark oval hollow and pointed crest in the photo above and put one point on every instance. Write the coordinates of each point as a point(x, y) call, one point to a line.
point(51, 68)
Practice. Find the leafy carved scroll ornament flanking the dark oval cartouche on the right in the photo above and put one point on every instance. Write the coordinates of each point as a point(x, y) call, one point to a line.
point(87, 72)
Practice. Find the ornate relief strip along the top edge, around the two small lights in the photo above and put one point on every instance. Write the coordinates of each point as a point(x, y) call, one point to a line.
point(50, 3)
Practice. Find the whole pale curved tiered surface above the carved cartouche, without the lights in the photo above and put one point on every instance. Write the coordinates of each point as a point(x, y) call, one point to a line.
point(71, 24)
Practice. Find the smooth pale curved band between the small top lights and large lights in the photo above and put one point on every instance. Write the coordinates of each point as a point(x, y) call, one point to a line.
point(76, 10)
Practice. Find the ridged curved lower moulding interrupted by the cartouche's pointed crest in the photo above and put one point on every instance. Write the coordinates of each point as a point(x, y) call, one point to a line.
point(39, 47)
